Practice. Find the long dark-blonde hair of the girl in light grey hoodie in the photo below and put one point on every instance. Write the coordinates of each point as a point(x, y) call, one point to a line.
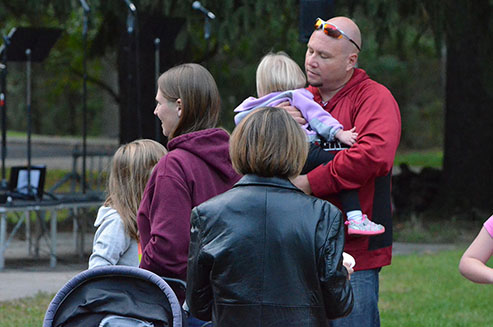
point(131, 167)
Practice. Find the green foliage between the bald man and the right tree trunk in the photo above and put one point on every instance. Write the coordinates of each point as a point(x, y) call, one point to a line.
point(399, 51)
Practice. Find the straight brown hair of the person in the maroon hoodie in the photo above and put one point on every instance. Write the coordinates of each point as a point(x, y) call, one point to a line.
point(196, 88)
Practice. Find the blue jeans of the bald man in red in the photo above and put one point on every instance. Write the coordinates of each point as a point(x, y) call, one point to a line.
point(365, 311)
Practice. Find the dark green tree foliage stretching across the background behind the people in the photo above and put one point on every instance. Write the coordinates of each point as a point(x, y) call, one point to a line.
point(401, 49)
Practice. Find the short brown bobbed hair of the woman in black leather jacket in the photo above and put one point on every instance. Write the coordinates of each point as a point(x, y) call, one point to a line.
point(269, 143)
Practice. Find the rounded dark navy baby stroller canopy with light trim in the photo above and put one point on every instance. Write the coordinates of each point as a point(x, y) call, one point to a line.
point(115, 296)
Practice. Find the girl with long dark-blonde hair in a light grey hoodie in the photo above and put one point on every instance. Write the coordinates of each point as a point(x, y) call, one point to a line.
point(116, 239)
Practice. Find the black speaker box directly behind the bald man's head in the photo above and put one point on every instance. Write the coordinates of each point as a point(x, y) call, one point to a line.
point(311, 10)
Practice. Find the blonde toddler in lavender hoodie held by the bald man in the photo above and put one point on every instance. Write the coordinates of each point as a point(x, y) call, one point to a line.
point(280, 79)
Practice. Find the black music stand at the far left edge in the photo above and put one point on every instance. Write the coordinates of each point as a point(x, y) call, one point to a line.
point(27, 44)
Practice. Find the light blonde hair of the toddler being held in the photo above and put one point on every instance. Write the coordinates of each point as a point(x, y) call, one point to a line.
point(278, 72)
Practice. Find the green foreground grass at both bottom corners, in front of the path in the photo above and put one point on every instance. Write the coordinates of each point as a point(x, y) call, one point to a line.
point(416, 290)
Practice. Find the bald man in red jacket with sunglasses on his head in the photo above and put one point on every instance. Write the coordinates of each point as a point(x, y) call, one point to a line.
point(350, 96)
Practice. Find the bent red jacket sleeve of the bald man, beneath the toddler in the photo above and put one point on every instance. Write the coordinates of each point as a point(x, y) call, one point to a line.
point(377, 116)
